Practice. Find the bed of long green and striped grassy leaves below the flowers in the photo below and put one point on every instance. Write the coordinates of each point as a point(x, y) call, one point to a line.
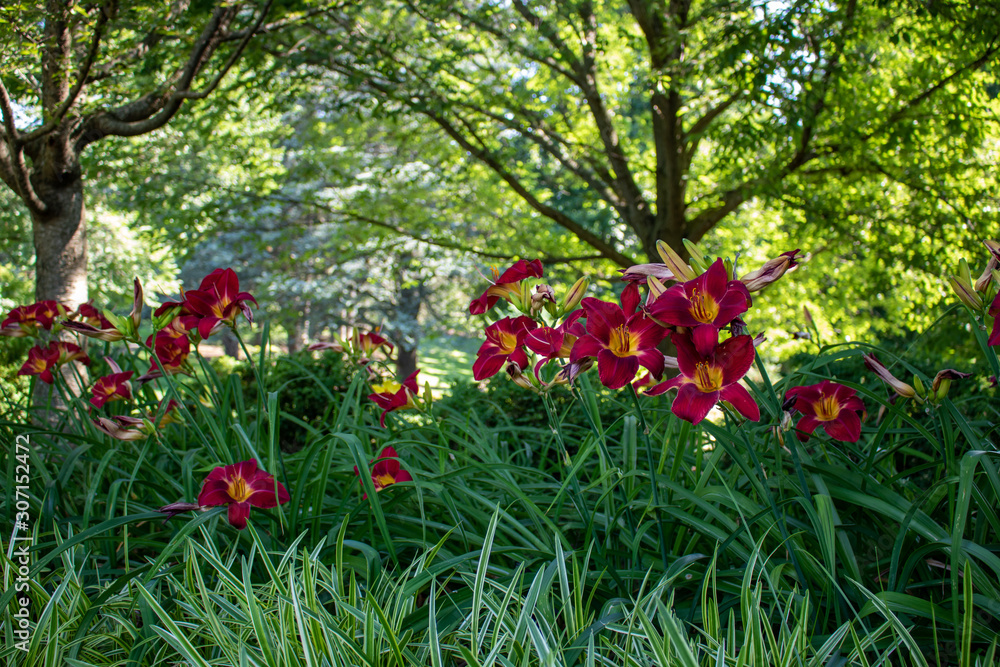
point(601, 534)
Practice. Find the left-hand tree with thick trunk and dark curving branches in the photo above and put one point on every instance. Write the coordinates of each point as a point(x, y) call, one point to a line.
point(75, 73)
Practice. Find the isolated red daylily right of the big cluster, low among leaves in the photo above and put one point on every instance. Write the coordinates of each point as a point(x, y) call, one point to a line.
point(830, 405)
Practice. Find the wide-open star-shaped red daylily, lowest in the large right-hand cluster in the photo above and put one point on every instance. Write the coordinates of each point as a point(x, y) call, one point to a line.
point(710, 371)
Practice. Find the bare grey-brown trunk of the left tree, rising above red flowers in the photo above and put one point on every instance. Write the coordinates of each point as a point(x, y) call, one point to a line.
point(61, 241)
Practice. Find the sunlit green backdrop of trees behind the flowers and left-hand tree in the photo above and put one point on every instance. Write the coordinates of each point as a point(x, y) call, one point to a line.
point(465, 134)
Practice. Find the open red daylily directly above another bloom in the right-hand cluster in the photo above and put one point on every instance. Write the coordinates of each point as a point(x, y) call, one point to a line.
point(711, 298)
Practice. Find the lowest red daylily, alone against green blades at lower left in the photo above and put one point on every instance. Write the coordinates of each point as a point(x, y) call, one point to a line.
point(240, 486)
